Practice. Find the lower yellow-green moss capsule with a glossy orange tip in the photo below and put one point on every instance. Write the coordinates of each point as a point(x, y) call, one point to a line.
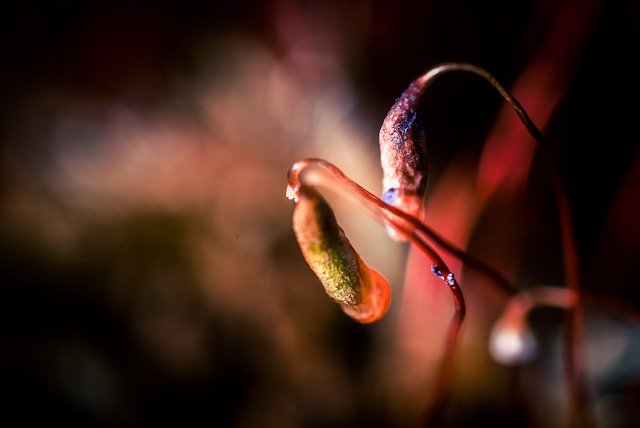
point(360, 291)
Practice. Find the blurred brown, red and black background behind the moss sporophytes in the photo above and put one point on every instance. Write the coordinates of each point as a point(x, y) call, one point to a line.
point(149, 272)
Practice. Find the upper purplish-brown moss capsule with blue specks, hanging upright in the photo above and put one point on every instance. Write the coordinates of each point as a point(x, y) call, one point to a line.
point(403, 151)
